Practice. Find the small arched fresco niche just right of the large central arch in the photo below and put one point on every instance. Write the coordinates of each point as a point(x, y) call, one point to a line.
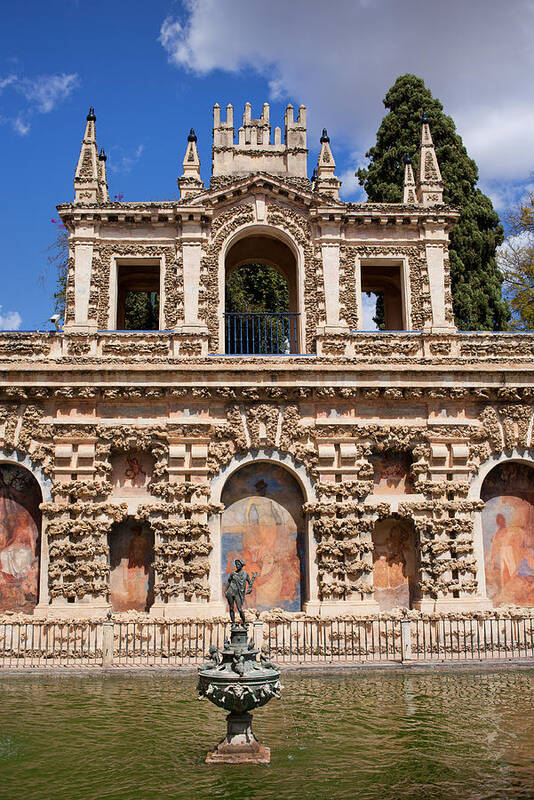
point(394, 565)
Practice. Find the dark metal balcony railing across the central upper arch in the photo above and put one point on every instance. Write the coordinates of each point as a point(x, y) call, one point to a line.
point(261, 334)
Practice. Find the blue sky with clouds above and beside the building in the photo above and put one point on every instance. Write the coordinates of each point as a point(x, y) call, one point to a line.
point(153, 71)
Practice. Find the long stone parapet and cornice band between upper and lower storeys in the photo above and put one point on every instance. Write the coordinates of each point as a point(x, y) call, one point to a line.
point(416, 359)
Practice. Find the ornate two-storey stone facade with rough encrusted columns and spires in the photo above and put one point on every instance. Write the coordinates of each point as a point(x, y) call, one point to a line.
point(145, 427)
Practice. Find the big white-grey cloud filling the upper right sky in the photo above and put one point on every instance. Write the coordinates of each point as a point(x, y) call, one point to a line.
point(476, 57)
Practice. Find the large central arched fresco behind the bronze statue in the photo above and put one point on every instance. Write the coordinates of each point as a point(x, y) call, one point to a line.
point(263, 524)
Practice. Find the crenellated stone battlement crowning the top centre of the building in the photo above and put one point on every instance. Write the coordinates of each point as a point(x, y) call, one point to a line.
point(254, 151)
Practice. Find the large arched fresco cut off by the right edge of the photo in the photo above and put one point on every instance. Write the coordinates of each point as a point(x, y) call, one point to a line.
point(508, 534)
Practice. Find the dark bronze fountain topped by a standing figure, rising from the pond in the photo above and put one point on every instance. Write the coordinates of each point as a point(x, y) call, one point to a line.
point(234, 679)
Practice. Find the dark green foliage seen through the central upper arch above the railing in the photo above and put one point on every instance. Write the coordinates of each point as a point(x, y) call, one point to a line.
point(256, 288)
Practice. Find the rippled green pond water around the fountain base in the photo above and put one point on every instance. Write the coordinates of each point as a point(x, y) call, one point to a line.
point(455, 735)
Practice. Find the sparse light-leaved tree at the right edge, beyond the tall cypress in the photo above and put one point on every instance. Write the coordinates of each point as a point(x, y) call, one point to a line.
point(516, 259)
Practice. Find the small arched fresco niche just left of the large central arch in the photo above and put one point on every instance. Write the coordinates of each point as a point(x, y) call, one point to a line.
point(131, 580)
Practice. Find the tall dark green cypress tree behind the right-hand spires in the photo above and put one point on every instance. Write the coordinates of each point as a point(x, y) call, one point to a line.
point(475, 278)
